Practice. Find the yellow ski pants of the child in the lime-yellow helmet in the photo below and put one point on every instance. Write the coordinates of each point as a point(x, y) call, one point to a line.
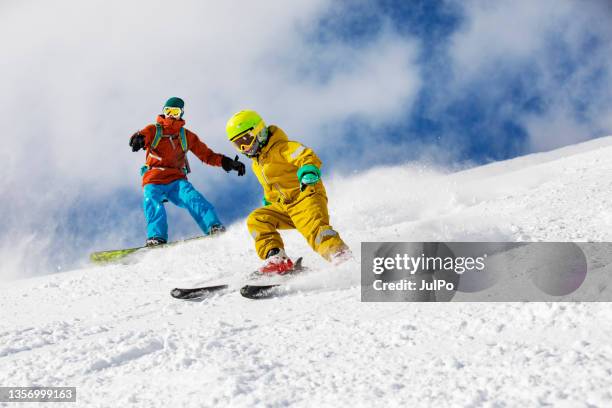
point(308, 214)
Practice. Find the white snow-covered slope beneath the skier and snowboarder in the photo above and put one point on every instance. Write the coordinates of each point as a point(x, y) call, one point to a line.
point(116, 334)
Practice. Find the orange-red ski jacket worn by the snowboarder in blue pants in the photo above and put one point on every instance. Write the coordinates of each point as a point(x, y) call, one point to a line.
point(167, 161)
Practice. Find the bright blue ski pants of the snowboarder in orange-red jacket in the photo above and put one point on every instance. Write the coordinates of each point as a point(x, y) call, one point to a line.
point(182, 194)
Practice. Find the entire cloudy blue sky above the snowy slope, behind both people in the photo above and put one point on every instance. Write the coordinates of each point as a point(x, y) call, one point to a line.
point(364, 83)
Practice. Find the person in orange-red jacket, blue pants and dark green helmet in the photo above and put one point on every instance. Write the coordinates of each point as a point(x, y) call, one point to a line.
point(164, 175)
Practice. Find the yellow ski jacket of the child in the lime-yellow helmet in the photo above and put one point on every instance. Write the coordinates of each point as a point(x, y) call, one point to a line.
point(277, 164)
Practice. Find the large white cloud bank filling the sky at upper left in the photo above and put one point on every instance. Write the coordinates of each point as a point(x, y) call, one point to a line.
point(79, 77)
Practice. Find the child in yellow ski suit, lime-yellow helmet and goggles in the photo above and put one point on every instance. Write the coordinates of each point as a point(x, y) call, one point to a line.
point(294, 195)
